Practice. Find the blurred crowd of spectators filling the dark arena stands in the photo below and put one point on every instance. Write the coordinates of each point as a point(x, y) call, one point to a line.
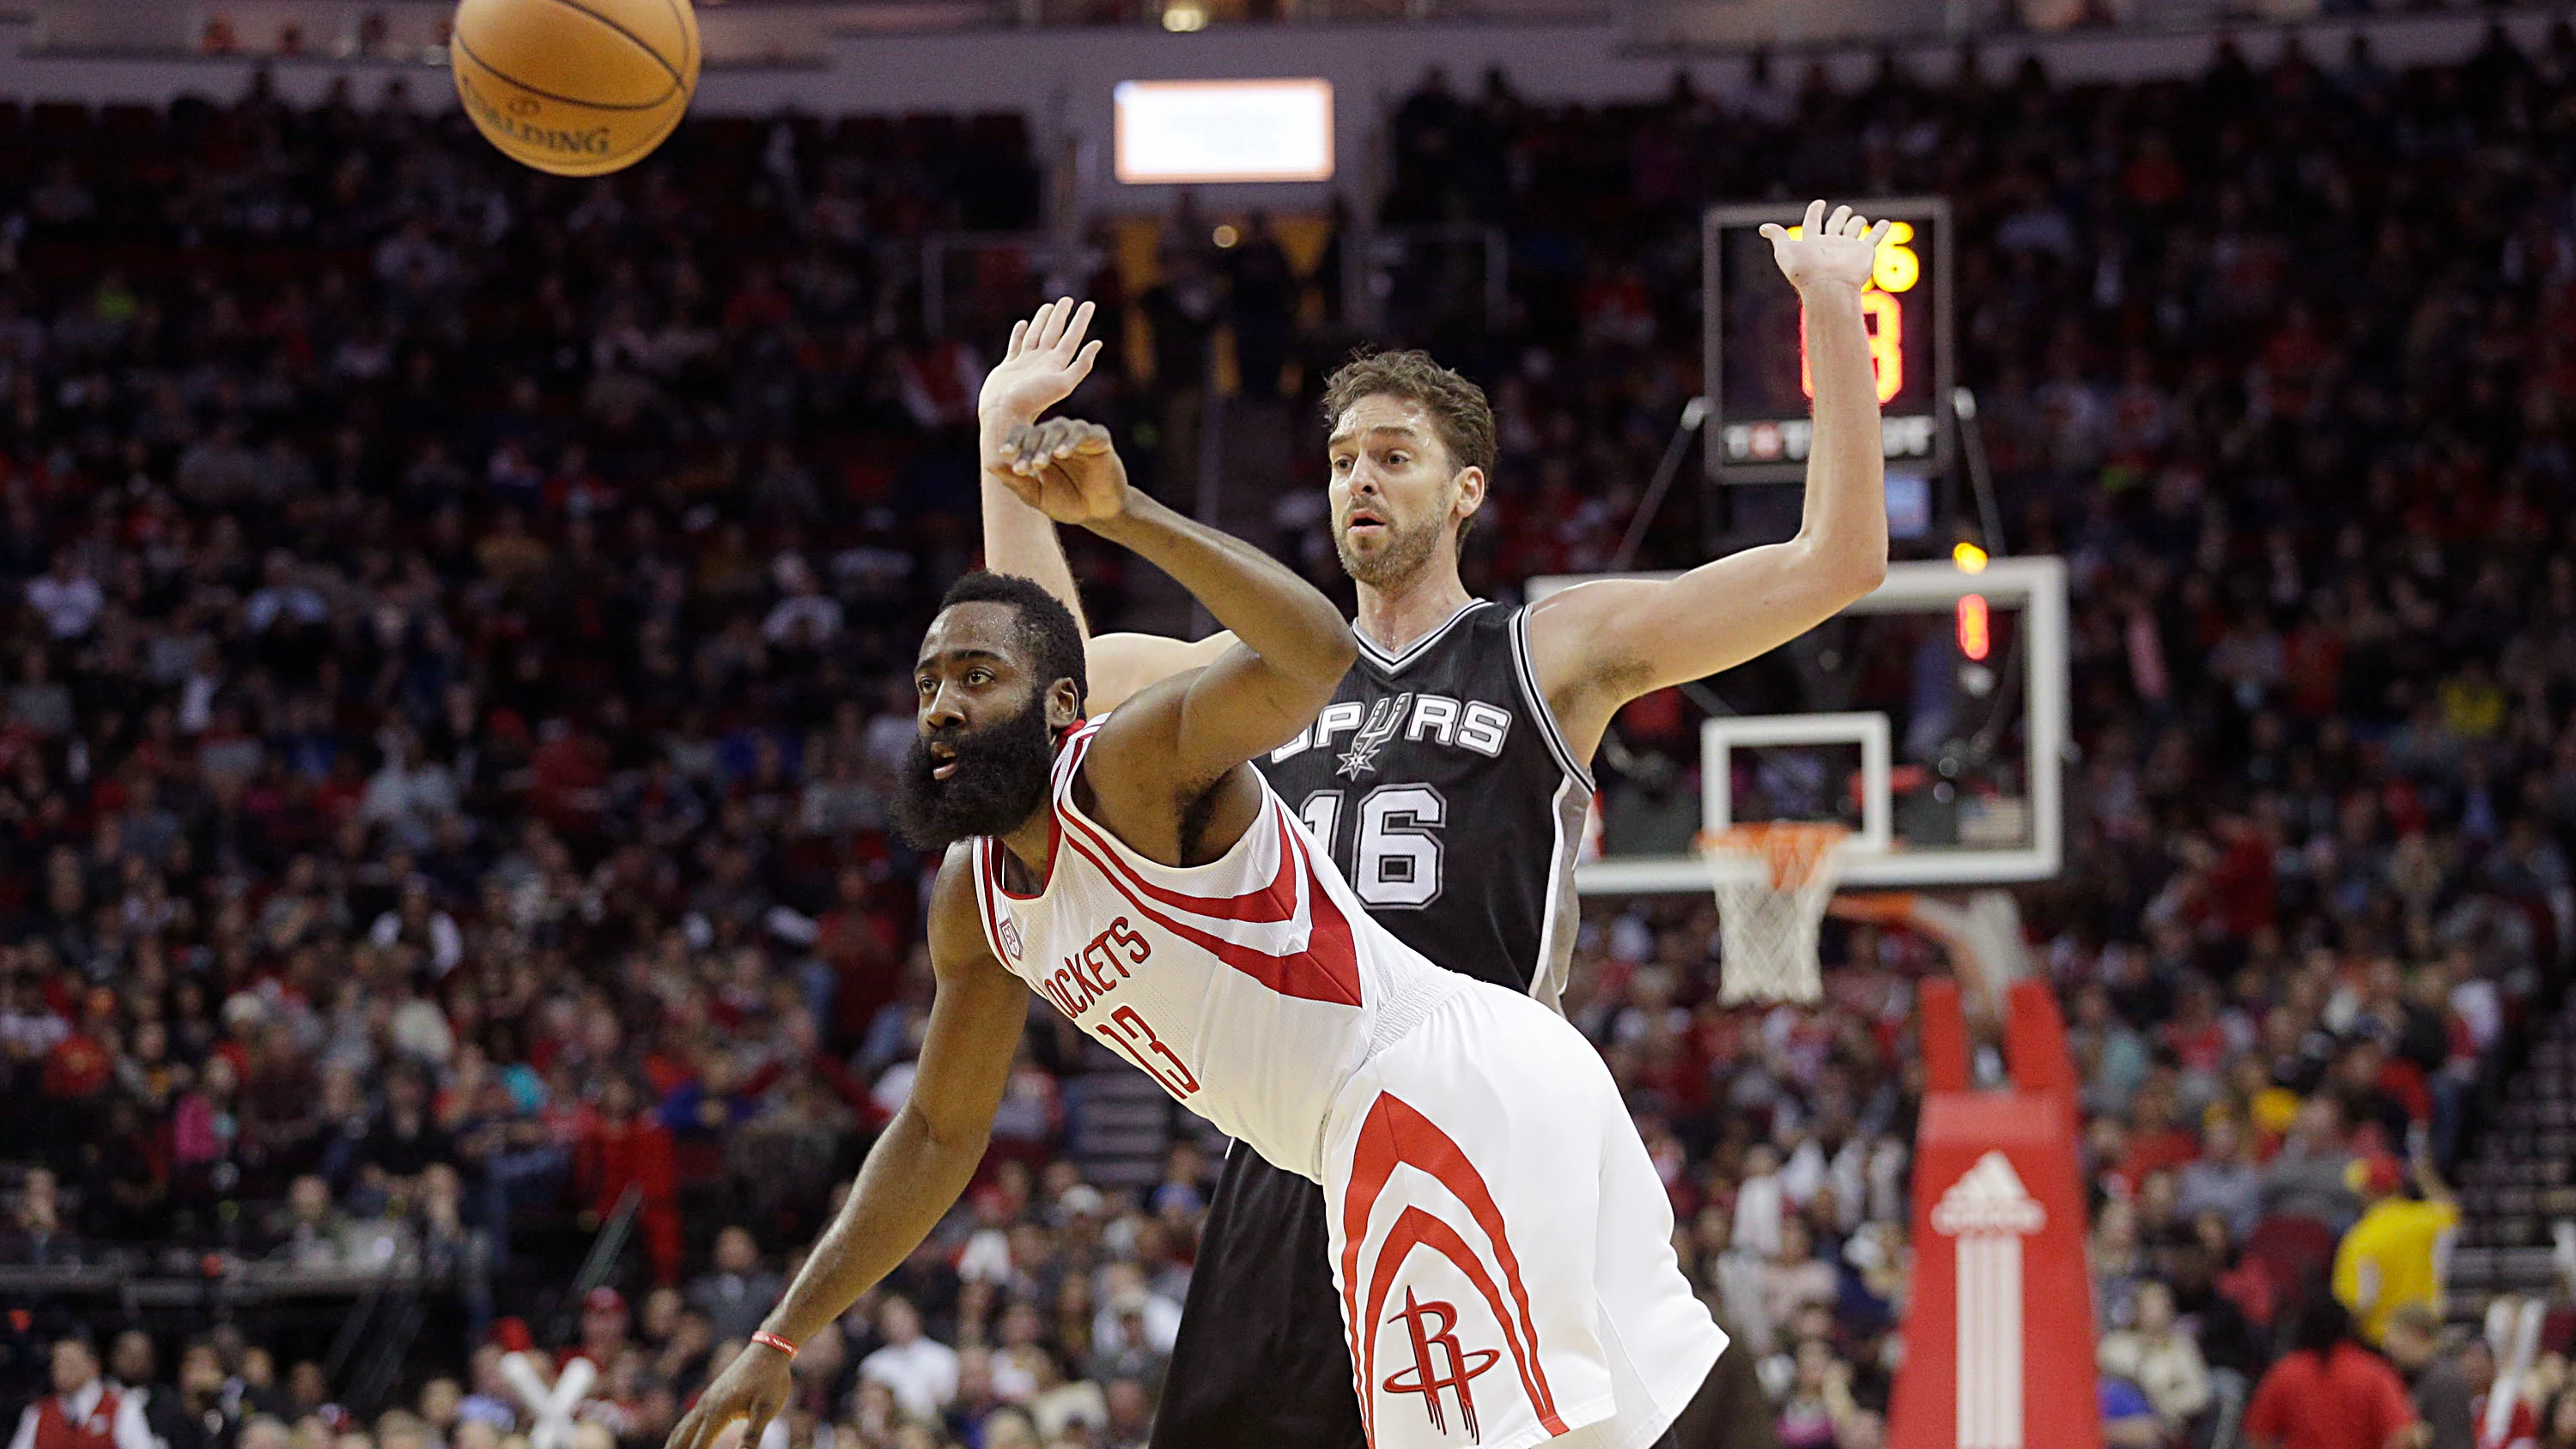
point(455, 637)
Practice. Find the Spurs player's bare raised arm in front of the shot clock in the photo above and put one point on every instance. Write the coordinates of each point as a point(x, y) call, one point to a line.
point(1609, 642)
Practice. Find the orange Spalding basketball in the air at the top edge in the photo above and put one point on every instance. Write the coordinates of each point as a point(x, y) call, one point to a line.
point(576, 86)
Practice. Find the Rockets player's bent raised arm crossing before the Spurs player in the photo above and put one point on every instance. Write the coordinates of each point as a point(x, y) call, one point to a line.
point(1289, 650)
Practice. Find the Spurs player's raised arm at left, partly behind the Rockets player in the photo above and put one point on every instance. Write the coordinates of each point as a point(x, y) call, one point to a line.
point(1042, 367)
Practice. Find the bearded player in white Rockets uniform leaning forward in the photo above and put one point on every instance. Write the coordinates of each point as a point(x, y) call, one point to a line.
point(1498, 1242)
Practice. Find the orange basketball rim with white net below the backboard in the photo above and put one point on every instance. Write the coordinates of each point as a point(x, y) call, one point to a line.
point(1774, 884)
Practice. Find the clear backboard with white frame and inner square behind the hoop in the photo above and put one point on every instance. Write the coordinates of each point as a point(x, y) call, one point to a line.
point(1931, 719)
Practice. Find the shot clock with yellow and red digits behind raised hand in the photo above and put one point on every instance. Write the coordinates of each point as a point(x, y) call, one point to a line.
point(1758, 377)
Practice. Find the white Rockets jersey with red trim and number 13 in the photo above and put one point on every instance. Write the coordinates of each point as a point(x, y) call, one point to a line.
point(1251, 987)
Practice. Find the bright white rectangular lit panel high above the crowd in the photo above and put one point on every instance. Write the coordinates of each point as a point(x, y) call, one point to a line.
point(1204, 133)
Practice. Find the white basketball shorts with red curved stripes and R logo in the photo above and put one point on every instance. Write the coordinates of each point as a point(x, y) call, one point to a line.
point(1503, 1244)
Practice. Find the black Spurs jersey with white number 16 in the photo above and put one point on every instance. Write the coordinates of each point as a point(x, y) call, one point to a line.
point(1446, 794)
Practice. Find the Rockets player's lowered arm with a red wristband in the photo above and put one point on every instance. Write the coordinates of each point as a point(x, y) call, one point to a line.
point(913, 1175)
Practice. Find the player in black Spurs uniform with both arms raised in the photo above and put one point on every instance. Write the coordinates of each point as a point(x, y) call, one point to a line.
point(1452, 771)
